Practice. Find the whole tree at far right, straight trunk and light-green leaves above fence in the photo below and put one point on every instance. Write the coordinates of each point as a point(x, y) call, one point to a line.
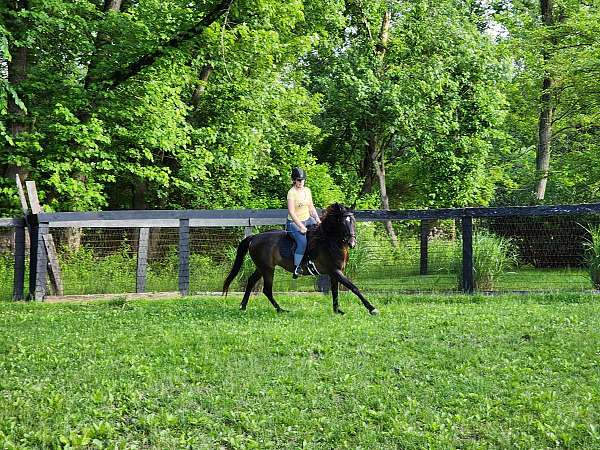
point(552, 96)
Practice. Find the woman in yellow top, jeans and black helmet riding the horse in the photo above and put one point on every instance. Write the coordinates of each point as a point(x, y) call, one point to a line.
point(301, 214)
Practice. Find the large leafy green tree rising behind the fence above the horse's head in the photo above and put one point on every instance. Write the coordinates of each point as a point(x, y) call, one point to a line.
point(419, 97)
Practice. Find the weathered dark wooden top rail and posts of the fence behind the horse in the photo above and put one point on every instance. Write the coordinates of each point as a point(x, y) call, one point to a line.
point(182, 221)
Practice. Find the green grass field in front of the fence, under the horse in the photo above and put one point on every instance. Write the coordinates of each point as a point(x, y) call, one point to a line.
point(438, 372)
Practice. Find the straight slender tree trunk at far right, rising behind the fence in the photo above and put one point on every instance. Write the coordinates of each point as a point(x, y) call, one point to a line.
point(542, 160)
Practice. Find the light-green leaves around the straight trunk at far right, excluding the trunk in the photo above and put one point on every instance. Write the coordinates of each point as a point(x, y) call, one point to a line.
point(566, 52)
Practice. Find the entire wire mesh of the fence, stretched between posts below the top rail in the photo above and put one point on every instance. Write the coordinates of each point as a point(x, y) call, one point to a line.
point(545, 253)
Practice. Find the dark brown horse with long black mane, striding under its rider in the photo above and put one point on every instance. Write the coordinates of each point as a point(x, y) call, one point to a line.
point(327, 248)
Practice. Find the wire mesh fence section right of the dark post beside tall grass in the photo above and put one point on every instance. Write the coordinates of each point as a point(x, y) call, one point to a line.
point(551, 253)
